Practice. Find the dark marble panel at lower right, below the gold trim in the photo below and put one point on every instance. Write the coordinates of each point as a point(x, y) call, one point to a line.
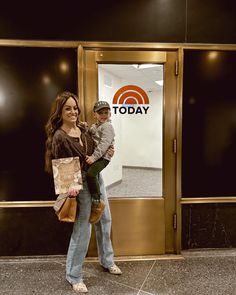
point(208, 226)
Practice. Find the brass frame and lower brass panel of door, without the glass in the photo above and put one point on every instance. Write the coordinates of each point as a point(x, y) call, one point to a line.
point(89, 84)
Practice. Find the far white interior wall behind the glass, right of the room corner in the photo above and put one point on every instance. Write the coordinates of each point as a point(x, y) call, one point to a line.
point(142, 136)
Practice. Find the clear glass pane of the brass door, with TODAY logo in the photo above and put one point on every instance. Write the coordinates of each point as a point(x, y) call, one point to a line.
point(137, 113)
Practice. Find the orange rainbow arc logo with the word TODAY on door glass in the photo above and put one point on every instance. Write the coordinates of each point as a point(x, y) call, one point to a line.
point(128, 96)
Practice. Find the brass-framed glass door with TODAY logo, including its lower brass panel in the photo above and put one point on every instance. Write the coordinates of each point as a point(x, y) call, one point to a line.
point(140, 87)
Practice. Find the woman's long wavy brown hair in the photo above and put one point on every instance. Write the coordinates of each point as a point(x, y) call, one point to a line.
point(55, 122)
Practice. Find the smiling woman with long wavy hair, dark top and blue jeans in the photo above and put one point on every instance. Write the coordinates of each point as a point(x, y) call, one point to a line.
point(66, 137)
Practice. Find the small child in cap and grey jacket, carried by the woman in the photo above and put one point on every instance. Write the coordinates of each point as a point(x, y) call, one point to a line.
point(103, 135)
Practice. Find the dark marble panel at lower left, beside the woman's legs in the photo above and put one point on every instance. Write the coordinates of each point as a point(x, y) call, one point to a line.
point(32, 231)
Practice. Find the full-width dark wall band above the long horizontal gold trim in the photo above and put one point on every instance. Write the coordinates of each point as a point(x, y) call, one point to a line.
point(192, 21)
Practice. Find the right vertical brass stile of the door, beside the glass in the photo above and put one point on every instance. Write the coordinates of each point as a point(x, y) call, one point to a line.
point(169, 157)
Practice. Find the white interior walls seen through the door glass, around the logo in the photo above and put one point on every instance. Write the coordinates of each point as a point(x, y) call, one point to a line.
point(138, 140)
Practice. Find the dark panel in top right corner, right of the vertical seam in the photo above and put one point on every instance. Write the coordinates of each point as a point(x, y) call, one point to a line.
point(211, 21)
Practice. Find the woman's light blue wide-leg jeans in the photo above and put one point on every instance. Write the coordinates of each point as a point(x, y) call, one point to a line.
point(80, 237)
